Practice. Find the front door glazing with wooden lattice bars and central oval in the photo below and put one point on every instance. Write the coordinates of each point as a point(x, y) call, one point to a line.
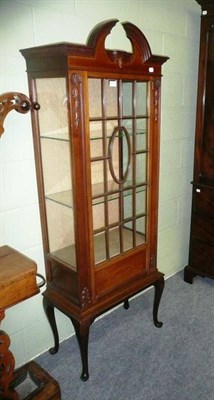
point(118, 127)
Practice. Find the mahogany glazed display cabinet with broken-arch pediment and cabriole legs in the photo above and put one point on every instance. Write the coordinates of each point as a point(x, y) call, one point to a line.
point(96, 140)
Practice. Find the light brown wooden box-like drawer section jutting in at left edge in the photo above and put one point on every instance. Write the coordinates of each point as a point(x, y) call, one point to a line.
point(17, 277)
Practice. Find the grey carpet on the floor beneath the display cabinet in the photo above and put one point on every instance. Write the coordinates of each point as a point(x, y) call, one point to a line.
point(131, 359)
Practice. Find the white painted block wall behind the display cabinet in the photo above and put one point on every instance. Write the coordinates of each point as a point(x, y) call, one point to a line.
point(172, 29)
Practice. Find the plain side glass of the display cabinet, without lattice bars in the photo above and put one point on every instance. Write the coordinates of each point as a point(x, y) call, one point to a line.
point(56, 164)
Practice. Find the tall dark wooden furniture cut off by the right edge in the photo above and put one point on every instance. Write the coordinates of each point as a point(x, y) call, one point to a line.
point(201, 251)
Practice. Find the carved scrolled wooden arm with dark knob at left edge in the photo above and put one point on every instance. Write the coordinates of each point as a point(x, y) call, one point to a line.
point(14, 101)
